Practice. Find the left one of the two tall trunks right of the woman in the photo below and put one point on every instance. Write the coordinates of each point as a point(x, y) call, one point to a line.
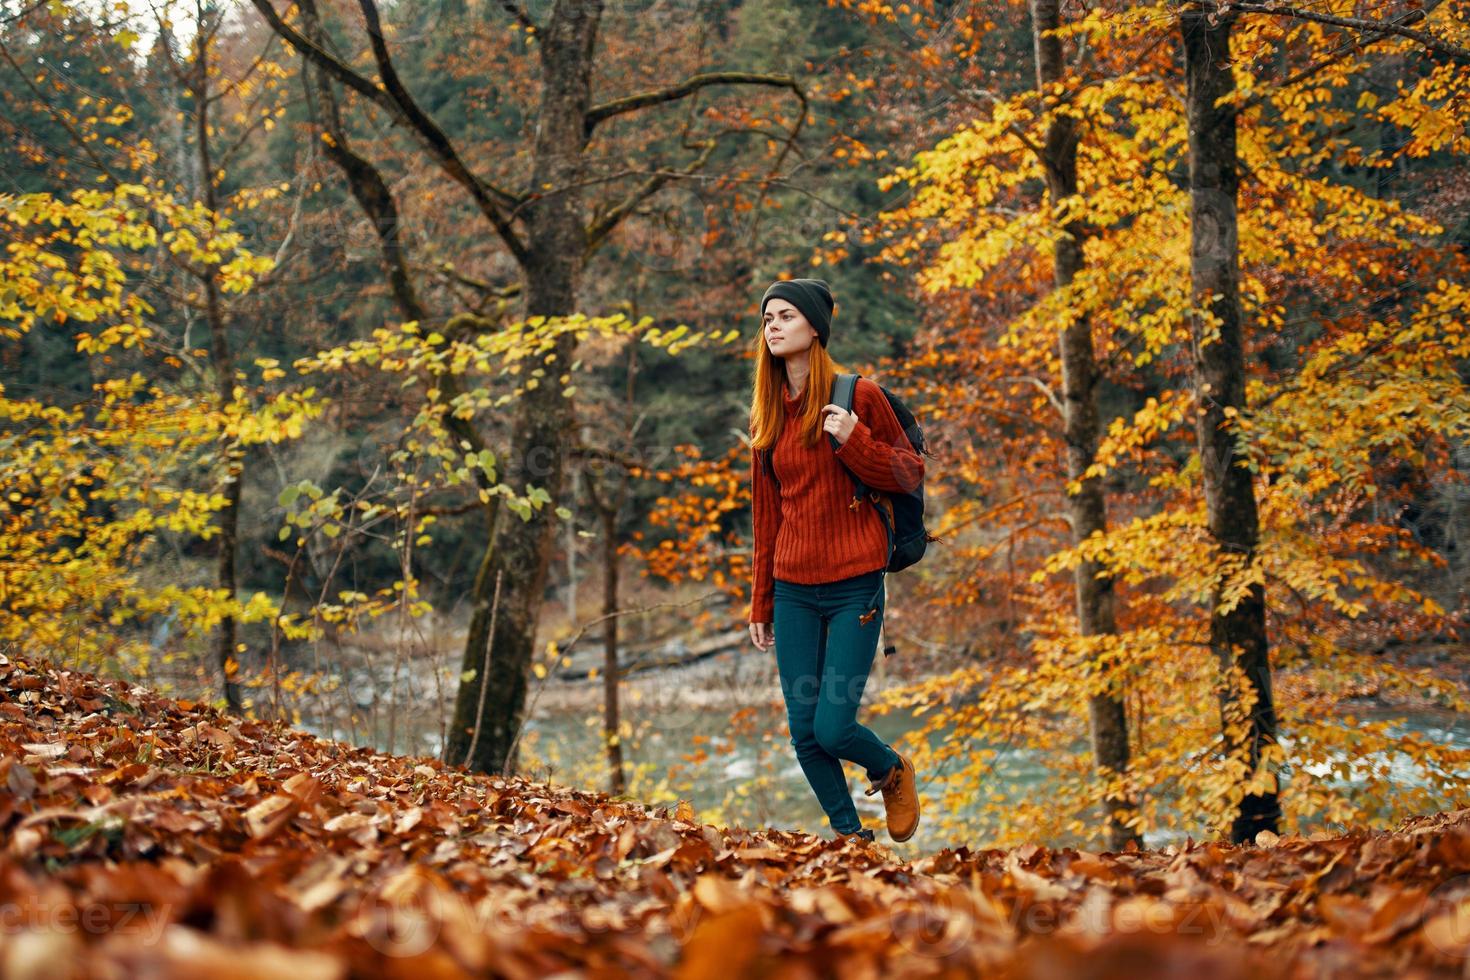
point(1080, 378)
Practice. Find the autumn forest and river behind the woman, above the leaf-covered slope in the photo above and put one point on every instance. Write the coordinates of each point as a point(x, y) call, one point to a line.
point(371, 367)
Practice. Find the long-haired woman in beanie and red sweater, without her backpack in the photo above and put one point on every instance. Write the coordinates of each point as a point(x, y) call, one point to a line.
point(821, 555)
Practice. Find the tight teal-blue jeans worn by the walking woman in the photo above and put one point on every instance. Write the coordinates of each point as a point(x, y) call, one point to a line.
point(824, 655)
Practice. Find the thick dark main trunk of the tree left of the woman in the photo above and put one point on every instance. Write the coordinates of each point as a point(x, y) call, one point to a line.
point(542, 436)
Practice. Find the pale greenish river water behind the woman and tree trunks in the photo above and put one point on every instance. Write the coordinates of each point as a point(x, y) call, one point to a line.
point(730, 707)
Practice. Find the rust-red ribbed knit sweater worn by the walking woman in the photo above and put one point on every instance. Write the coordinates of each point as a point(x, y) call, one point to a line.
point(809, 534)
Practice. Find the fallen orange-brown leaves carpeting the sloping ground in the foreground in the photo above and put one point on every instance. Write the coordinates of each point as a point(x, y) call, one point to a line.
point(155, 837)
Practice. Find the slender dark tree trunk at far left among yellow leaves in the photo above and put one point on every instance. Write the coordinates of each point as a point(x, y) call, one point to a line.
point(224, 364)
